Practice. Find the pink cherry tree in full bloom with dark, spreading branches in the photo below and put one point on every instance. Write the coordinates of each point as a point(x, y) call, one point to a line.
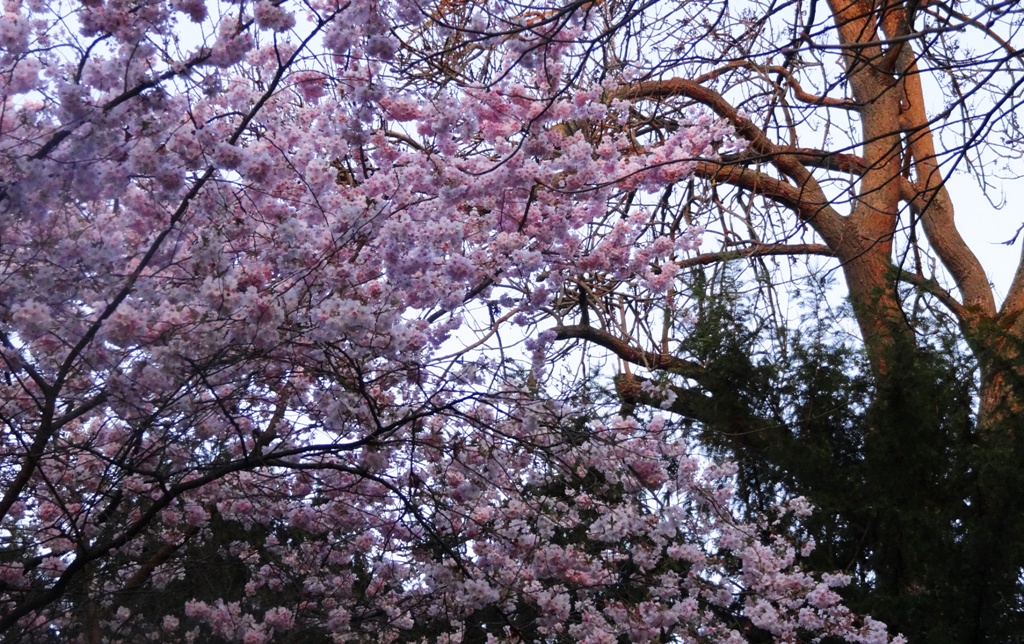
point(231, 259)
